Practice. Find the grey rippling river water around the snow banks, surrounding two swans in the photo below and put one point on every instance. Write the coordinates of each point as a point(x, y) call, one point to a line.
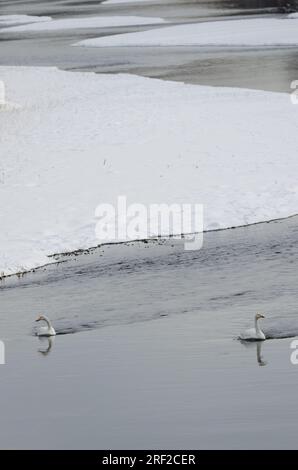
point(147, 354)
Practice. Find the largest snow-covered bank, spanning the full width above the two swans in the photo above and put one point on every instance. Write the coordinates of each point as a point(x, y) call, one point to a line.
point(81, 139)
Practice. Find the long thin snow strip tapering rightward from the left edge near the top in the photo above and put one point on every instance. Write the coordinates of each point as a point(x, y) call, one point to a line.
point(84, 23)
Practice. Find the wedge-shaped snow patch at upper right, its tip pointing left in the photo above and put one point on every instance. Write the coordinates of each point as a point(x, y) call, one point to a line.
point(246, 32)
